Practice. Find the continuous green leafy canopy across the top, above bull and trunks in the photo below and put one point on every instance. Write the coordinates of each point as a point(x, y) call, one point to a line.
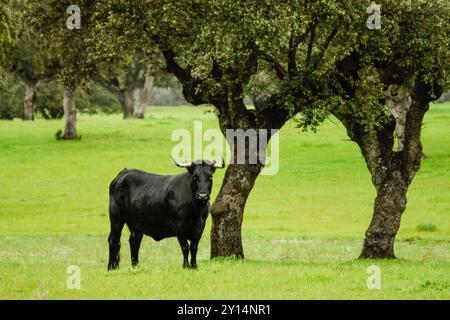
point(226, 43)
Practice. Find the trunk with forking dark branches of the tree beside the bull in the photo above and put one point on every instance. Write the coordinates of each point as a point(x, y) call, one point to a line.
point(228, 209)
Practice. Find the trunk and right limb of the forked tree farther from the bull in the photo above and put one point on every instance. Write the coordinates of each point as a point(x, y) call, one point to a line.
point(393, 172)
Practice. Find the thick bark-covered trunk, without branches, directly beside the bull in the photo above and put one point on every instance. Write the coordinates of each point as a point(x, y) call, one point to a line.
point(227, 210)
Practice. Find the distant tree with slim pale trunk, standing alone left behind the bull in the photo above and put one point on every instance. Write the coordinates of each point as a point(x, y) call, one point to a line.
point(69, 46)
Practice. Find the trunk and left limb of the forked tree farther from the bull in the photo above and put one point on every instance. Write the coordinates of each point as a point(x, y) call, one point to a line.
point(385, 166)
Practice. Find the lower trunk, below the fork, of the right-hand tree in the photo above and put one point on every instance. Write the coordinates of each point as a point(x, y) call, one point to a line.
point(390, 204)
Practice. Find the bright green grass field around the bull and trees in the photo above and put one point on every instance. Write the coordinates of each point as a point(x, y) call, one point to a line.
point(303, 228)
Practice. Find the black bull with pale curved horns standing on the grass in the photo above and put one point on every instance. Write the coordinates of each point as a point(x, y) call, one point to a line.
point(160, 207)
